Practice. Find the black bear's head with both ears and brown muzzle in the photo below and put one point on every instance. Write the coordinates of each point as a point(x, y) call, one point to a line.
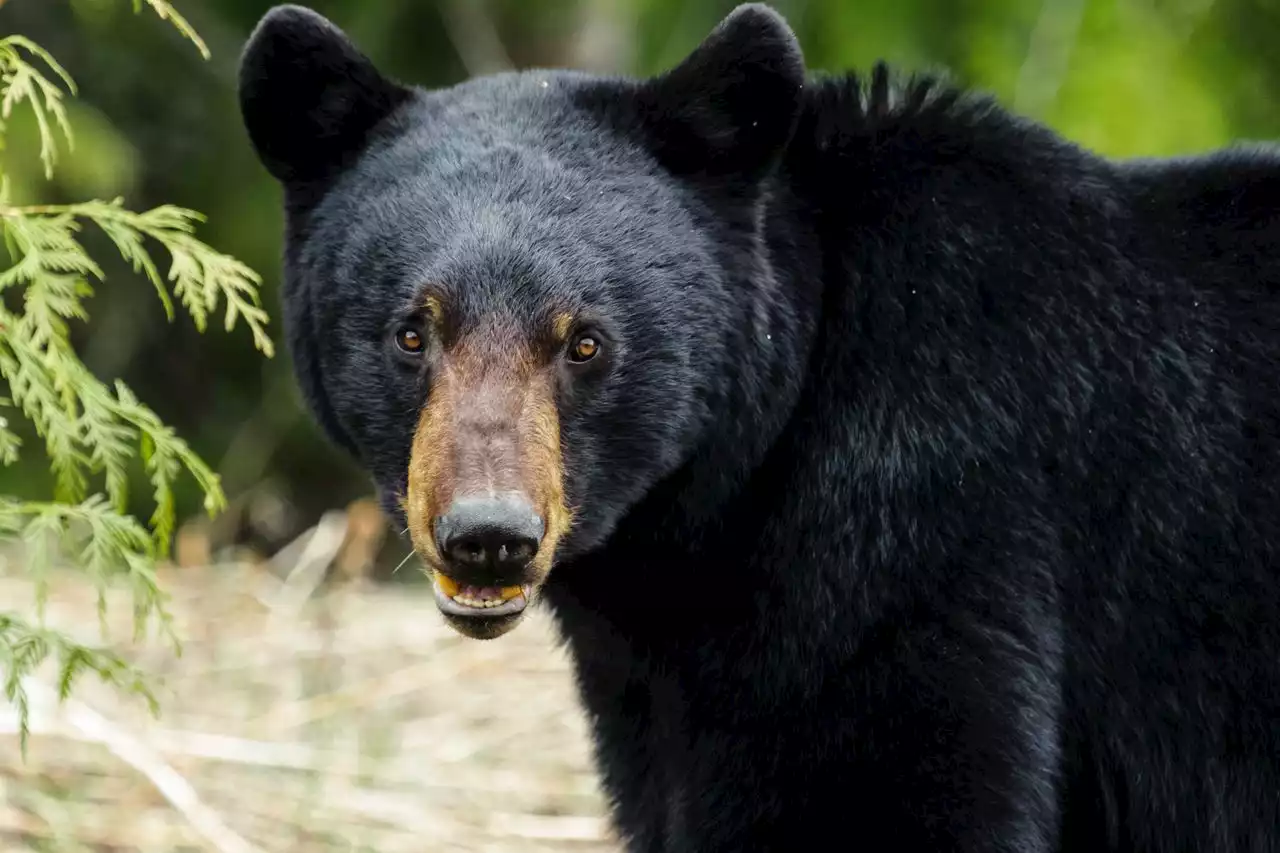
point(510, 299)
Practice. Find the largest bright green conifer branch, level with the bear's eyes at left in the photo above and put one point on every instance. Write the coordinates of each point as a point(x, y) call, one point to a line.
point(52, 386)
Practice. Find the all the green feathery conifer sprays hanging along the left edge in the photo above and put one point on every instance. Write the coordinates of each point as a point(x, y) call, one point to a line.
point(93, 430)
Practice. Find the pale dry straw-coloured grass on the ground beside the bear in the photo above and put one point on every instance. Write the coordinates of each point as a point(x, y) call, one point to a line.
point(298, 720)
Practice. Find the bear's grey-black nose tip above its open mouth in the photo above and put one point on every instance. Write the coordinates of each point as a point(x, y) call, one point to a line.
point(490, 541)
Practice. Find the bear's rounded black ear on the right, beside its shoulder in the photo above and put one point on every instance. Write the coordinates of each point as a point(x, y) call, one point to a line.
point(730, 107)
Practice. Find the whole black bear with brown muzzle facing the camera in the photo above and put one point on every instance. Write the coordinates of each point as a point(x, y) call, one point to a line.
point(900, 476)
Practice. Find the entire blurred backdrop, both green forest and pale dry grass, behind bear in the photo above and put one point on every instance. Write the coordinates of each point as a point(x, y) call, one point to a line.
point(156, 124)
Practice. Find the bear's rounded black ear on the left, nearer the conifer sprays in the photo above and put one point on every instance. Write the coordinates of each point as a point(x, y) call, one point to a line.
point(308, 97)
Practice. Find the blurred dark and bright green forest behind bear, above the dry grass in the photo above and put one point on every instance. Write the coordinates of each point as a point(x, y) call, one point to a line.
point(158, 125)
